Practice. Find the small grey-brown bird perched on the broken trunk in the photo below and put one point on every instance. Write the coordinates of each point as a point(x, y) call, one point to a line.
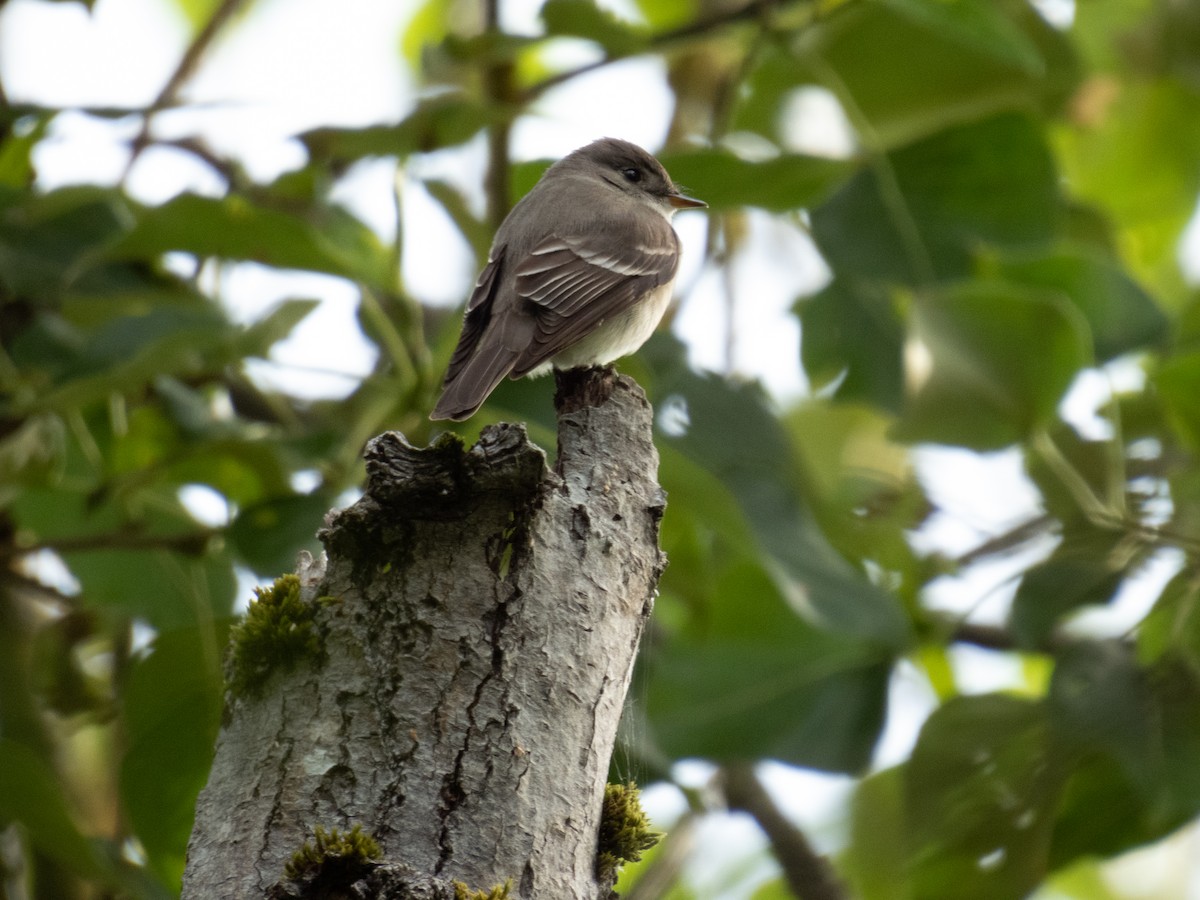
point(579, 275)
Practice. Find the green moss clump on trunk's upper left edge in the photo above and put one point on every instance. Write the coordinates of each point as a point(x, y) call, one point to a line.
point(277, 634)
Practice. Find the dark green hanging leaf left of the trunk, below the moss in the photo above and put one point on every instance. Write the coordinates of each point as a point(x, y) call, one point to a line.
point(172, 706)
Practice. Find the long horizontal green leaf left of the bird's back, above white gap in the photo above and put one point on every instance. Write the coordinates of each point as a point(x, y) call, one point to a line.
point(328, 241)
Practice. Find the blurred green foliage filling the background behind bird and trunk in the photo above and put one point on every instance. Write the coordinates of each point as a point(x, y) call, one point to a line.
point(1009, 219)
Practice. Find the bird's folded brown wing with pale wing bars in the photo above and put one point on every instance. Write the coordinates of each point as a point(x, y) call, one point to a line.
point(574, 285)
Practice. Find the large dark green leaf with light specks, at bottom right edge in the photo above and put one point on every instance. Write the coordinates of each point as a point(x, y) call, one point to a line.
point(981, 791)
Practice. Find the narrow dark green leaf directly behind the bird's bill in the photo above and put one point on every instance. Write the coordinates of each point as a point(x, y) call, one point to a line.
point(787, 183)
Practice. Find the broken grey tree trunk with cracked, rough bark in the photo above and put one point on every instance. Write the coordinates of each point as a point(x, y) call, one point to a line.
point(481, 616)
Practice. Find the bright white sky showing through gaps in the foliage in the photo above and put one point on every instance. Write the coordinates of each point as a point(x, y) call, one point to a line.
point(298, 64)
